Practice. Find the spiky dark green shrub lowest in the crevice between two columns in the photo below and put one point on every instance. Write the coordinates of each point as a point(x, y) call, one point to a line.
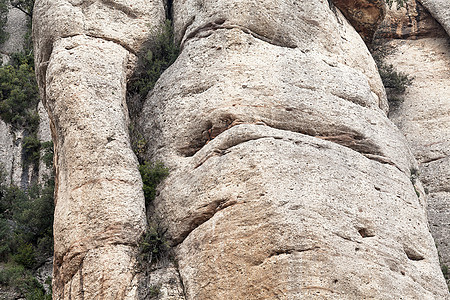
point(153, 245)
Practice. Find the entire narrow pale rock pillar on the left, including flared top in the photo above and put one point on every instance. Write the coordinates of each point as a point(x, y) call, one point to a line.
point(84, 52)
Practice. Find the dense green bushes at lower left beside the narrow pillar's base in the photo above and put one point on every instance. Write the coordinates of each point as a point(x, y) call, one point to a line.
point(26, 225)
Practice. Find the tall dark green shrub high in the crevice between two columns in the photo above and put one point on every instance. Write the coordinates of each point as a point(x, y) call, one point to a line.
point(163, 53)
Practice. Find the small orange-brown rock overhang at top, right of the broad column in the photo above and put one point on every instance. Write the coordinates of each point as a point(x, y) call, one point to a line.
point(365, 16)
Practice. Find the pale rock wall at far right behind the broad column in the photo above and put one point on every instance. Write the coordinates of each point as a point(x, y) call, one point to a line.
point(424, 54)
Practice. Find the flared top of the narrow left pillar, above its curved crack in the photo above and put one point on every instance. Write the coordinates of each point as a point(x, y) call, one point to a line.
point(129, 24)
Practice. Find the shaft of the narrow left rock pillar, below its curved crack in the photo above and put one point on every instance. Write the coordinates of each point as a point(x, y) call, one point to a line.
point(99, 212)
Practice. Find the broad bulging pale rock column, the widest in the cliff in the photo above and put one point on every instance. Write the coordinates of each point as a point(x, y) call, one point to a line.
point(287, 180)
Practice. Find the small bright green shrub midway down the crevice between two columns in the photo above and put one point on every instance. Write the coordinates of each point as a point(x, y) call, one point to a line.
point(152, 174)
